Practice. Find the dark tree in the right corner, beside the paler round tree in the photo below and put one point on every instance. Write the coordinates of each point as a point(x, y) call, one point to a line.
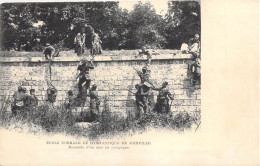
point(182, 22)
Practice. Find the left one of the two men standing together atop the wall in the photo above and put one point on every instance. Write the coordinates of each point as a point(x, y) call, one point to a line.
point(79, 42)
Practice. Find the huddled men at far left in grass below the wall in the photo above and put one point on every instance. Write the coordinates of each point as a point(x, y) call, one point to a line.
point(23, 102)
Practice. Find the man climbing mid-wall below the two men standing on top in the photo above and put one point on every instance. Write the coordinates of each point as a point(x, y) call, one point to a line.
point(84, 75)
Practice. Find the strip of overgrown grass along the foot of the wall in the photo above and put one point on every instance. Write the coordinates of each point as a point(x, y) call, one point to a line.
point(60, 120)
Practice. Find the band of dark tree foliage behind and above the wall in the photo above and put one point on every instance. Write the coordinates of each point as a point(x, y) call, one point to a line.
point(41, 23)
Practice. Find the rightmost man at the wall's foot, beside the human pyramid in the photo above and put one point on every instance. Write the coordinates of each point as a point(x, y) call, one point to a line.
point(162, 105)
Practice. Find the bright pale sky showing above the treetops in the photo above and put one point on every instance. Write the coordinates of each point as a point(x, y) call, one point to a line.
point(159, 5)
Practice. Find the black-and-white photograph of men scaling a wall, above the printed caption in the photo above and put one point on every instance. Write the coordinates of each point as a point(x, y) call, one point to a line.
point(98, 69)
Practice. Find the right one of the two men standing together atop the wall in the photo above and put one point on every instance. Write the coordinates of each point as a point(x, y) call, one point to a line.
point(95, 44)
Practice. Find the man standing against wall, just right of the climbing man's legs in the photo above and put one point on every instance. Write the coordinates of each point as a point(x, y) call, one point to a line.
point(94, 102)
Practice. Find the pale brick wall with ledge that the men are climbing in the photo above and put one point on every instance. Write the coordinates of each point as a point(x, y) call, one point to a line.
point(114, 76)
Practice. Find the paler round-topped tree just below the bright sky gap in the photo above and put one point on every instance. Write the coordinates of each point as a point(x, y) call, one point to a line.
point(145, 27)
